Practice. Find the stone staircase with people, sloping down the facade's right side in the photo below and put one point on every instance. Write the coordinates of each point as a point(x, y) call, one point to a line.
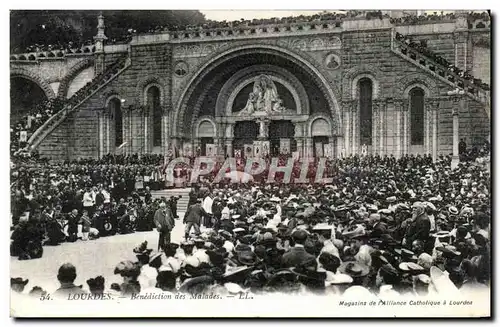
point(478, 92)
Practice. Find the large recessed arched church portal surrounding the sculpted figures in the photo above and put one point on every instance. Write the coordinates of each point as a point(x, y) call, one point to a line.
point(311, 95)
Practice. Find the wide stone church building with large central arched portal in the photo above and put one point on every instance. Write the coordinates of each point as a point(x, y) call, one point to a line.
point(330, 87)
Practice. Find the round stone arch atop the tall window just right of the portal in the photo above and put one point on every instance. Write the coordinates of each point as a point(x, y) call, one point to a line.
point(353, 76)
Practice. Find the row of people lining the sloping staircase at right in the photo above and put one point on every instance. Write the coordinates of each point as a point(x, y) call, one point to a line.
point(421, 47)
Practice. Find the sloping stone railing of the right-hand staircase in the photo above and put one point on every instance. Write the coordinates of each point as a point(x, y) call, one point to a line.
point(479, 92)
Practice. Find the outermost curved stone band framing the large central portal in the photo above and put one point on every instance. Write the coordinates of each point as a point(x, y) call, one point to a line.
point(216, 60)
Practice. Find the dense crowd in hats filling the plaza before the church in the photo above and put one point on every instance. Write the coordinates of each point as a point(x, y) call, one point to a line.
point(384, 226)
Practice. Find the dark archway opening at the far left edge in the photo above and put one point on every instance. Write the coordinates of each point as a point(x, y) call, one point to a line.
point(25, 96)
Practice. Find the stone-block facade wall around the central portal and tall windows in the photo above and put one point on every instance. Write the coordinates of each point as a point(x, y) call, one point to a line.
point(363, 53)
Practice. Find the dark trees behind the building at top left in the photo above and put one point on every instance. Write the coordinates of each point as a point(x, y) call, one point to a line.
point(30, 27)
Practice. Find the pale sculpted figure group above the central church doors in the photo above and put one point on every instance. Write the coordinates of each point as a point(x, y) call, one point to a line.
point(263, 98)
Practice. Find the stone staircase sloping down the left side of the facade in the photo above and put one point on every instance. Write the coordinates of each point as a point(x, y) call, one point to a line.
point(82, 95)
